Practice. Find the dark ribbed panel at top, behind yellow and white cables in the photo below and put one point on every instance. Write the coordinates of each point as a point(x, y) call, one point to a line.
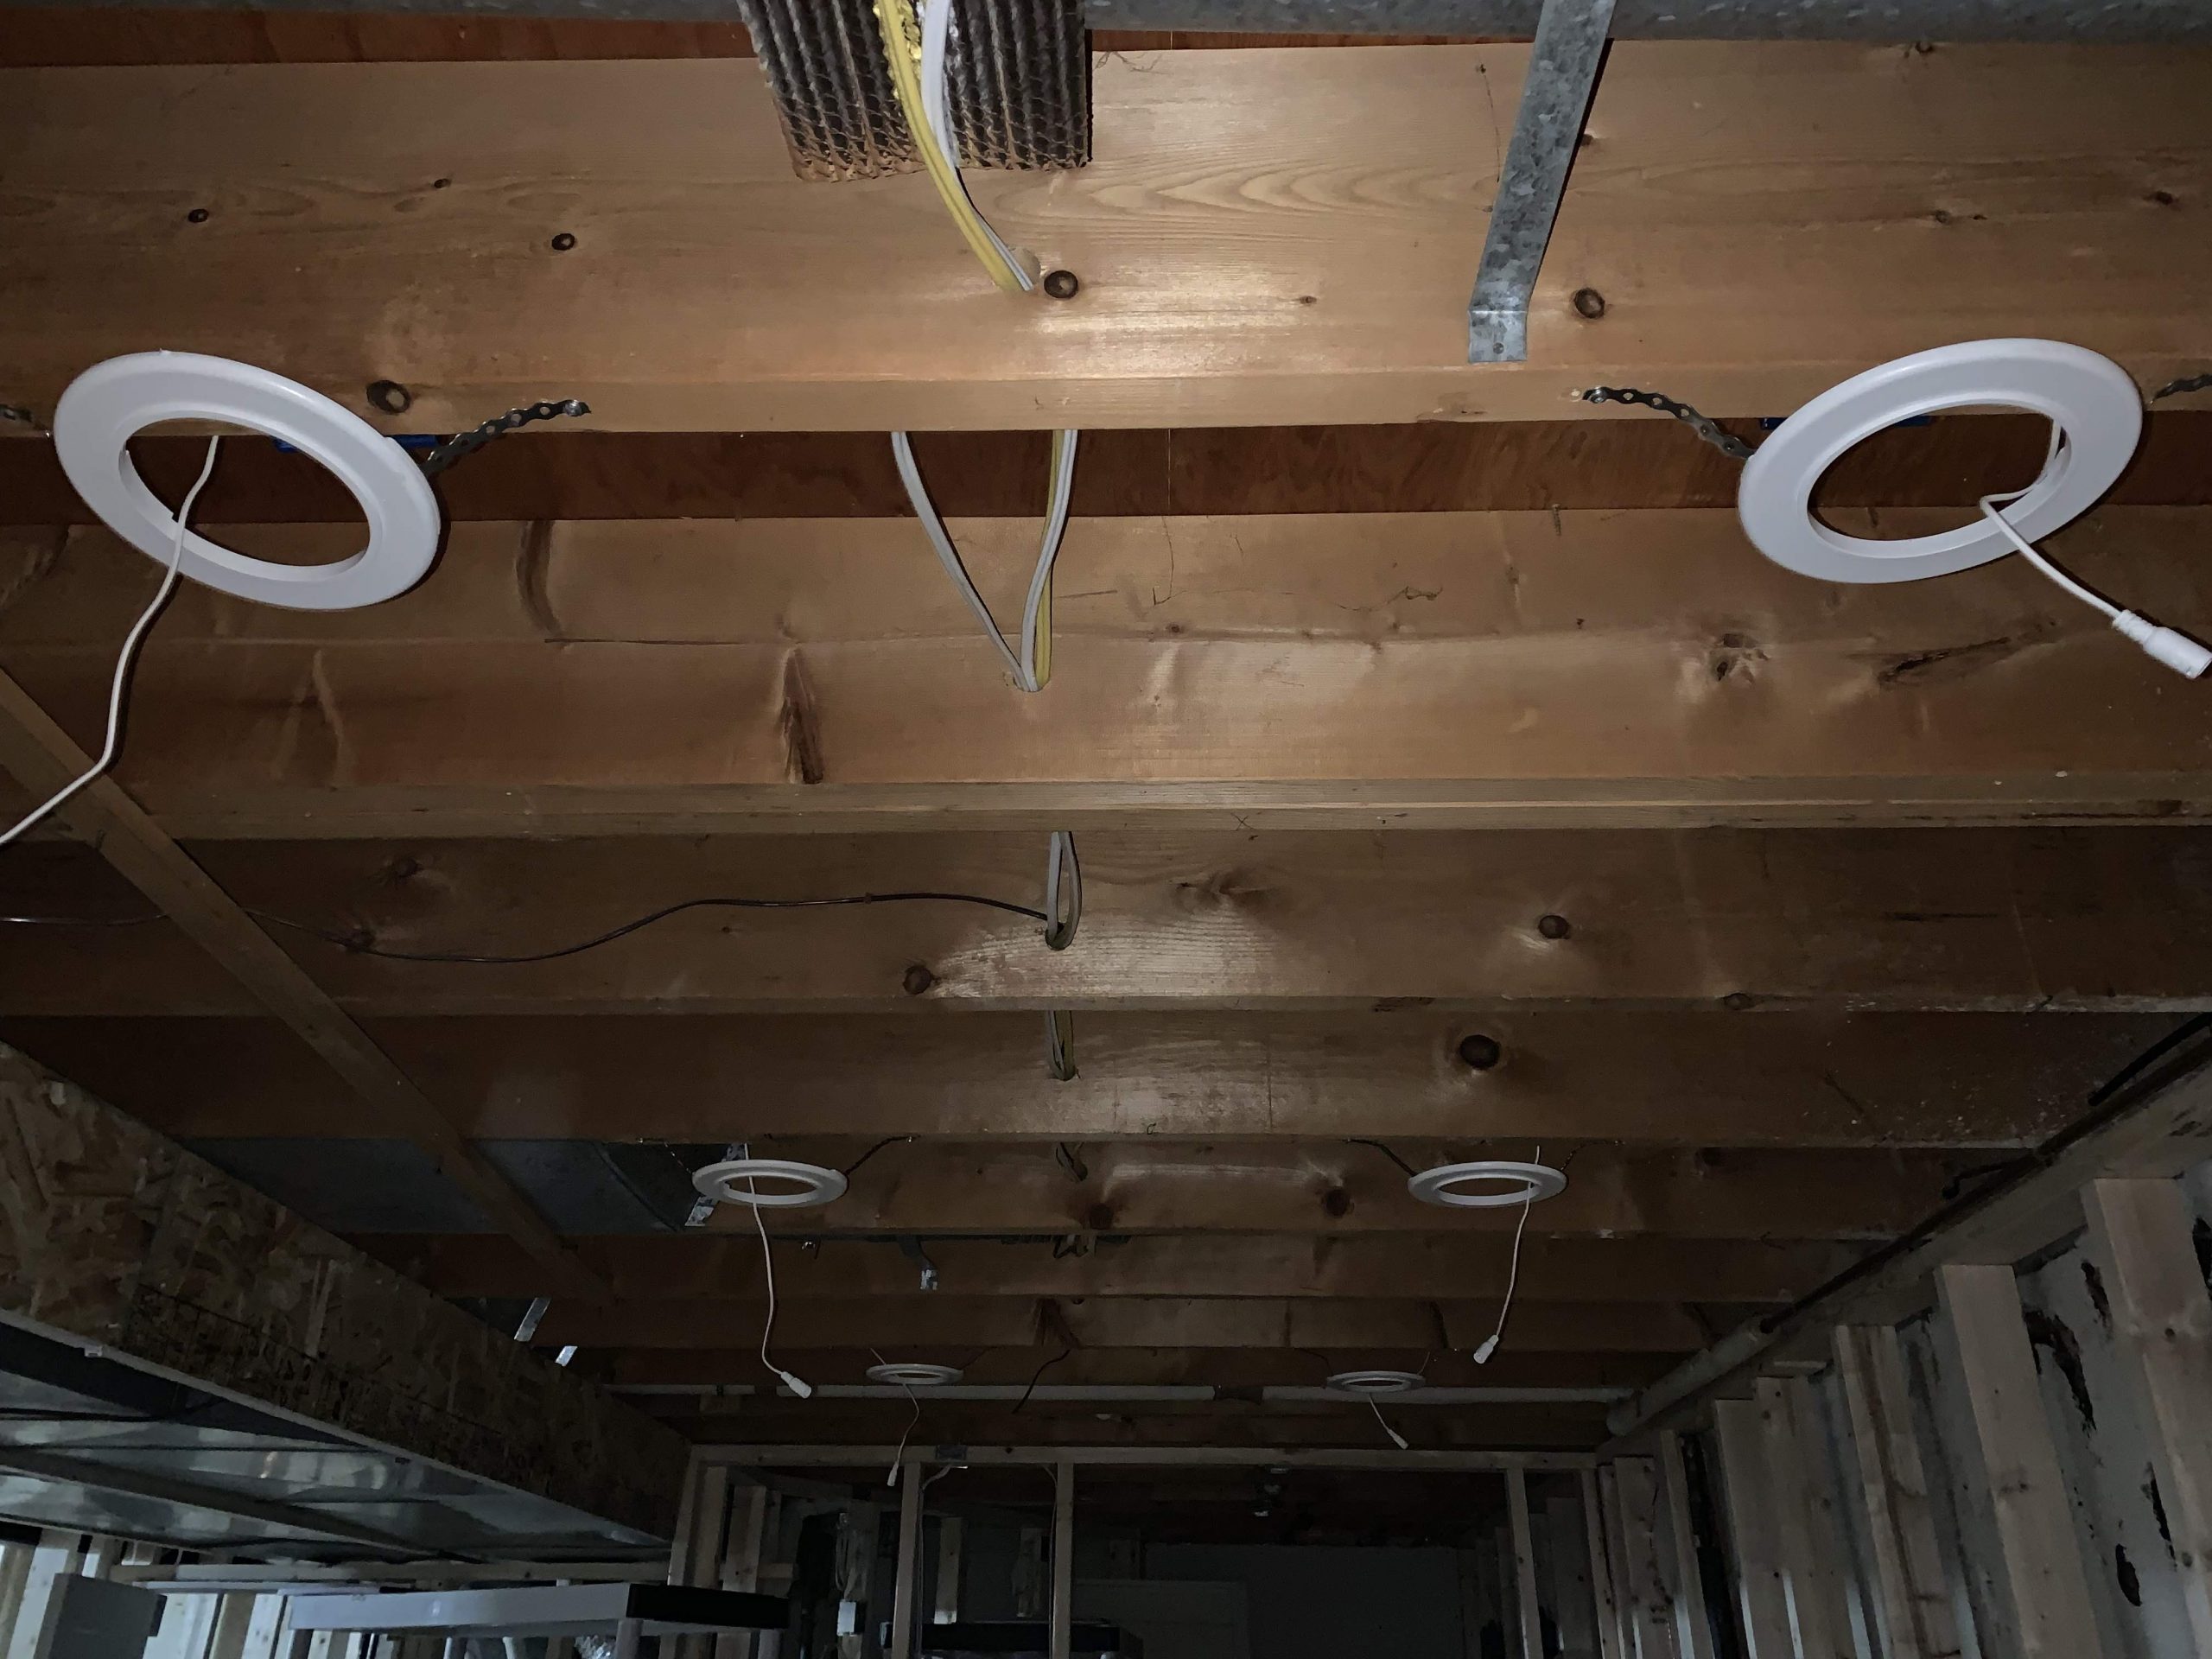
point(1019, 76)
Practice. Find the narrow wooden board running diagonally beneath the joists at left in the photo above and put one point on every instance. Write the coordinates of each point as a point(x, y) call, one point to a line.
point(43, 758)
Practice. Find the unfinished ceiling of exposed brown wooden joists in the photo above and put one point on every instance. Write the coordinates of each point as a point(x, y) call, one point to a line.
point(1452, 780)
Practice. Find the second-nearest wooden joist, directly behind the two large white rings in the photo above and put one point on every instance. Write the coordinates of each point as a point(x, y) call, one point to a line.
point(1342, 669)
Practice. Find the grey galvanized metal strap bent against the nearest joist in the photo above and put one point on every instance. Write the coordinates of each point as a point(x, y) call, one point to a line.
point(1563, 74)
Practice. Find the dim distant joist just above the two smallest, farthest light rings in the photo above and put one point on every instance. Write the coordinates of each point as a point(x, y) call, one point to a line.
point(950, 1319)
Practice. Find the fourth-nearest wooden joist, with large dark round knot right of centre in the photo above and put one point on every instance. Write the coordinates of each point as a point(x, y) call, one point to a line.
point(1780, 1081)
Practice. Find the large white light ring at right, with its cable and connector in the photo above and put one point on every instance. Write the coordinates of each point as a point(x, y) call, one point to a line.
point(2096, 424)
